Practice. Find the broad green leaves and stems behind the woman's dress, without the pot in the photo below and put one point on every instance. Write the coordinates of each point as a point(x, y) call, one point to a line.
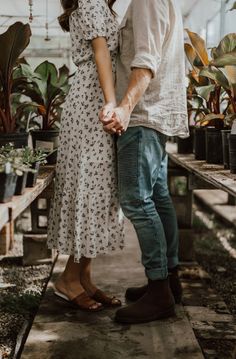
point(47, 88)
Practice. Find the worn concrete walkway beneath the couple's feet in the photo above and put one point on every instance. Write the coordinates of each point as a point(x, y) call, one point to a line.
point(61, 332)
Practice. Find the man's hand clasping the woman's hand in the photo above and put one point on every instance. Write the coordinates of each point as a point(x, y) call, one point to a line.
point(119, 121)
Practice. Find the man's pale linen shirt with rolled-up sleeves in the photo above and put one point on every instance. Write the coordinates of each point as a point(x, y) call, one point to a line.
point(151, 37)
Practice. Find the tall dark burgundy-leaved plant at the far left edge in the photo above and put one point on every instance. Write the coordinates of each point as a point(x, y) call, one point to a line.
point(12, 43)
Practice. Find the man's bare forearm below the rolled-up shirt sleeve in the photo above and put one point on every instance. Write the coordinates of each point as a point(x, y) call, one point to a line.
point(138, 84)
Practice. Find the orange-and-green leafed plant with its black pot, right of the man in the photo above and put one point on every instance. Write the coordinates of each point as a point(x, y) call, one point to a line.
point(216, 90)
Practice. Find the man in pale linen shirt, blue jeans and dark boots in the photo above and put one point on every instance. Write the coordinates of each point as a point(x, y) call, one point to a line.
point(152, 105)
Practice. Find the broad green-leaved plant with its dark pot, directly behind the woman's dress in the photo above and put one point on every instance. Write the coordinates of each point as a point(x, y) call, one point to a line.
point(47, 87)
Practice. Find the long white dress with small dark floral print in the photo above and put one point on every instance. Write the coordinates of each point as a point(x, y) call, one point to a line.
point(85, 217)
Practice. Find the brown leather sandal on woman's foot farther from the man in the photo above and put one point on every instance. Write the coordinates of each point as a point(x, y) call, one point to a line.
point(82, 302)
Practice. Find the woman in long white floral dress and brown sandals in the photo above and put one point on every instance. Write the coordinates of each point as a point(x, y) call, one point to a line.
point(85, 218)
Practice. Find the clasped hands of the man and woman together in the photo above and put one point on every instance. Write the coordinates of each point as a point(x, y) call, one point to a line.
point(115, 120)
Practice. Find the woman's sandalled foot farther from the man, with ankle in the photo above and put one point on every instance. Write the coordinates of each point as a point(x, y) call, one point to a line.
point(74, 292)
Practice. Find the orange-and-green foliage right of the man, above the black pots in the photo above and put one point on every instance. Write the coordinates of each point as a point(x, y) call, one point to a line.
point(214, 78)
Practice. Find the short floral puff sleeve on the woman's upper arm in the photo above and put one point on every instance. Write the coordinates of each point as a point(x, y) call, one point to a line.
point(92, 18)
